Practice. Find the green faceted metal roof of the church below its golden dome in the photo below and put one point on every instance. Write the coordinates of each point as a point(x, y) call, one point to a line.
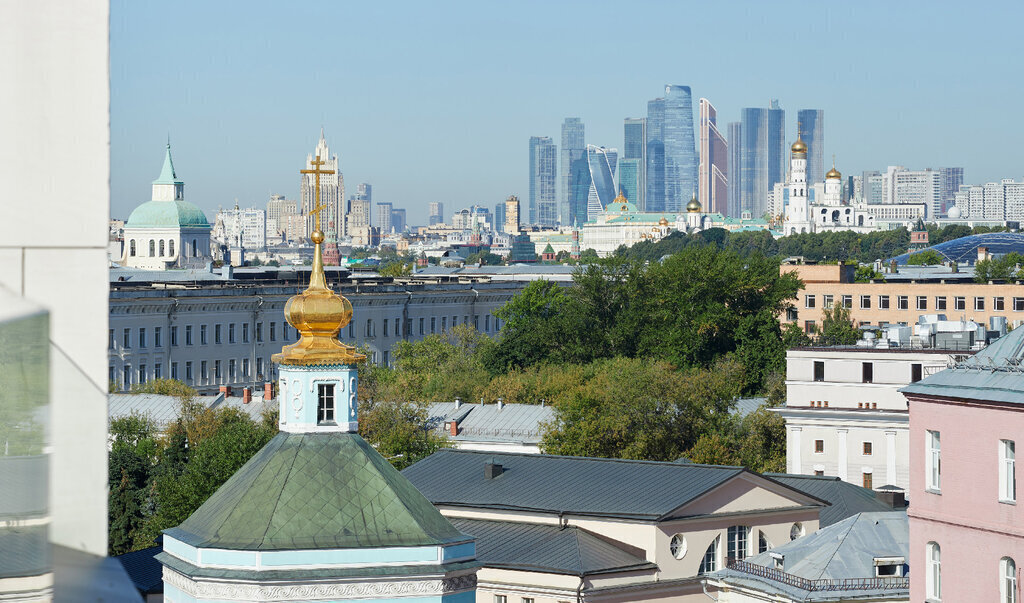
point(322, 491)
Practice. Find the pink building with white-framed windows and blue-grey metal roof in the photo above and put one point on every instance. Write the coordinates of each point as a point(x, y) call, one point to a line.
point(967, 525)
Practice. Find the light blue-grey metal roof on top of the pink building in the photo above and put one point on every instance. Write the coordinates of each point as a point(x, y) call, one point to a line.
point(996, 374)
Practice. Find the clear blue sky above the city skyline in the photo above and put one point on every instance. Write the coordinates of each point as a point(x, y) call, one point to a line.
point(437, 101)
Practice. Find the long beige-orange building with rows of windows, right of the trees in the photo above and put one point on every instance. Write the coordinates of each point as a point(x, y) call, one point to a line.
point(902, 297)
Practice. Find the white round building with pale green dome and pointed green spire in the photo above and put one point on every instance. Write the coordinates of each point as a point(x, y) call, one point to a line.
point(167, 232)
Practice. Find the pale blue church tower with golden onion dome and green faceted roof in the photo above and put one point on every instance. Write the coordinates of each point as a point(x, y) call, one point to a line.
point(318, 514)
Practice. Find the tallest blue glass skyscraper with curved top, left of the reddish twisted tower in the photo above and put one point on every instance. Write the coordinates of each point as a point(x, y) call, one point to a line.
point(680, 152)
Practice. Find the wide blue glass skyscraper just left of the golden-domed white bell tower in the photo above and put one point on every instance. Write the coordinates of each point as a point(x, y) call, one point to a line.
point(762, 156)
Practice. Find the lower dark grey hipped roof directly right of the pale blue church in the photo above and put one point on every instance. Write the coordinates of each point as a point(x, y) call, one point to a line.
point(549, 549)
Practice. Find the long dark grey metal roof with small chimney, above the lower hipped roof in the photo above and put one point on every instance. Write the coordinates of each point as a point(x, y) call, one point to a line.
point(611, 488)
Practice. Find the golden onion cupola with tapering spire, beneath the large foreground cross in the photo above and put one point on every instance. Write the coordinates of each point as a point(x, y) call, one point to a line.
point(319, 315)
